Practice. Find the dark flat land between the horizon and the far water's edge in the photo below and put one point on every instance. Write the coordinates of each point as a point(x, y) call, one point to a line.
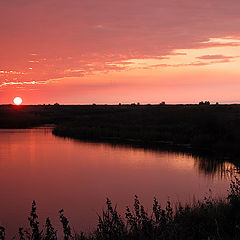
point(215, 128)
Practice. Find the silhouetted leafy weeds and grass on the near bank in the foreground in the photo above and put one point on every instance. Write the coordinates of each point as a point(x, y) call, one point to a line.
point(210, 219)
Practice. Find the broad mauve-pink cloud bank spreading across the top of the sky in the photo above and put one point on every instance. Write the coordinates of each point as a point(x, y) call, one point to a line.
point(55, 39)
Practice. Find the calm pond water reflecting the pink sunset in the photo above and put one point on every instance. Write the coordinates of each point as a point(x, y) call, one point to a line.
point(78, 176)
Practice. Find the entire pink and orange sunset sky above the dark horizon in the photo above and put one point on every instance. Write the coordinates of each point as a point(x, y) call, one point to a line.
point(110, 52)
